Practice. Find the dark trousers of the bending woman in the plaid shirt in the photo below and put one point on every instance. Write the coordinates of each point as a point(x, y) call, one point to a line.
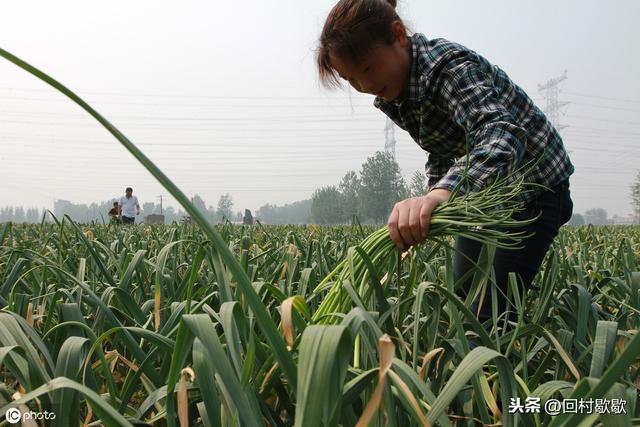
point(555, 208)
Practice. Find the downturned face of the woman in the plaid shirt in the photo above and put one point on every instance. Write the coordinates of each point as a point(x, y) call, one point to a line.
point(382, 72)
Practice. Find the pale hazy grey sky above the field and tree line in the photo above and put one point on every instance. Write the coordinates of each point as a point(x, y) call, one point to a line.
point(224, 96)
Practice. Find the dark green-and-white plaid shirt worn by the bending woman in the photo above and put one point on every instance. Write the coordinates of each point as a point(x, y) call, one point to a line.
point(461, 109)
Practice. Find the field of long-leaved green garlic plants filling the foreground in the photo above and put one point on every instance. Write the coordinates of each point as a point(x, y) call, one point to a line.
point(159, 325)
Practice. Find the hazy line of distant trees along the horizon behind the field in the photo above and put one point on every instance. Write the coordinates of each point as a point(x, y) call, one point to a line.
point(368, 195)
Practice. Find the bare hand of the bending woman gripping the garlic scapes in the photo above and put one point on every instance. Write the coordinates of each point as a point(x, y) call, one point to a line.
point(410, 218)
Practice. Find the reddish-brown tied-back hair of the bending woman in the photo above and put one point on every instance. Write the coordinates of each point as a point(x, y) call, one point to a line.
point(351, 29)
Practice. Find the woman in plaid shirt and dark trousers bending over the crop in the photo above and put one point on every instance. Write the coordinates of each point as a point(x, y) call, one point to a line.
point(474, 122)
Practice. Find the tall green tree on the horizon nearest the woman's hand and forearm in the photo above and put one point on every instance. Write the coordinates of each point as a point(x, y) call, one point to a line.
point(382, 186)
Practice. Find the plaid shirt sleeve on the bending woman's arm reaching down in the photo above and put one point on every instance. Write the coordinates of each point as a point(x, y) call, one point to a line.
point(496, 144)
